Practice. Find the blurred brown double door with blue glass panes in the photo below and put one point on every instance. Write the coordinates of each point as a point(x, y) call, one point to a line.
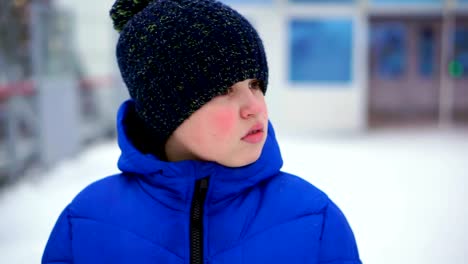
point(404, 77)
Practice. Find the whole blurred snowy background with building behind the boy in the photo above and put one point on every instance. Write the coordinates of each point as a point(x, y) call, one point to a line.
point(369, 99)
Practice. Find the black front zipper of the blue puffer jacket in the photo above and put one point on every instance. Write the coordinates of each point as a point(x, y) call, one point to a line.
point(196, 221)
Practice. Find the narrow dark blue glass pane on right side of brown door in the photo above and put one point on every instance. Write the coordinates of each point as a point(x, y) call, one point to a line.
point(426, 52)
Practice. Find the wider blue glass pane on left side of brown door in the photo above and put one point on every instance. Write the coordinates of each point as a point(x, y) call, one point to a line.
point(388, 45)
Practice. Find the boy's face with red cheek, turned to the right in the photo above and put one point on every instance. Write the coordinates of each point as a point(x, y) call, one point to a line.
point(230, 129)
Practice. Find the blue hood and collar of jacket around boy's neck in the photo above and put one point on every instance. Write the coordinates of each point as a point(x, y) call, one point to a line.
point(172, 183)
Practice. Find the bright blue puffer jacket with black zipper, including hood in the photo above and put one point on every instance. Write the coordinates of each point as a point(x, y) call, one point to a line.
point(200, 212)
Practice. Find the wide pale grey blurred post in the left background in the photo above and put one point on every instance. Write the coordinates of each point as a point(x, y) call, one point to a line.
point(57, 92)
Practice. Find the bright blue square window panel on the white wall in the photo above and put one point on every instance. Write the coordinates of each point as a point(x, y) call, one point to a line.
point(320, 50)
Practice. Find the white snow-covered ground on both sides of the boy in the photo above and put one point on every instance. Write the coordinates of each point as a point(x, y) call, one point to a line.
point(403, 193)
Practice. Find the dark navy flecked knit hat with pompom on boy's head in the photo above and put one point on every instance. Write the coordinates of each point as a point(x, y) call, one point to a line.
point(176, 55)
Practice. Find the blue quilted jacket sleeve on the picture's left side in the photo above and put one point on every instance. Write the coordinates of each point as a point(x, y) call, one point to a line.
point(58, 248)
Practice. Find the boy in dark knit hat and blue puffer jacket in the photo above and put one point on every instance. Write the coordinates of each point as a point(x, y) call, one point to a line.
point(201, 179)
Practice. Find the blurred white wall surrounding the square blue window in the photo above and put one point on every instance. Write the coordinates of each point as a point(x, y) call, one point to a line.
point(312, 108)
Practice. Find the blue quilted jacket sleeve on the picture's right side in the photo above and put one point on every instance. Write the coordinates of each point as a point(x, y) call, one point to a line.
point(337, 245)
